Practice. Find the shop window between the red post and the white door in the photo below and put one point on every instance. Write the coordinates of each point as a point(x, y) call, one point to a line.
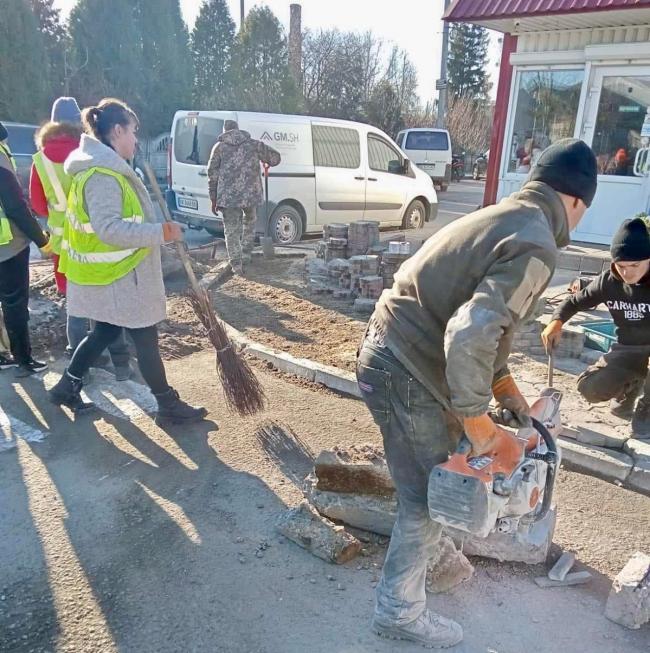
point(546, 110)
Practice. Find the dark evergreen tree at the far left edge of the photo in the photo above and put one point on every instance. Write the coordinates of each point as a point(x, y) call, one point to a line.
point(23, 86)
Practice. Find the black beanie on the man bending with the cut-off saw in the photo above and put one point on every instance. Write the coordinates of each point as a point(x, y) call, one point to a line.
point(569, 167)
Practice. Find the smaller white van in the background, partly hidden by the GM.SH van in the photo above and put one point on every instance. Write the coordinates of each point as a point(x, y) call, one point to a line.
point(430, 150)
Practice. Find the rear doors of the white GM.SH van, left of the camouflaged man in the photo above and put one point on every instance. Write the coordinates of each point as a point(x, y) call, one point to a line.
point(193, 139)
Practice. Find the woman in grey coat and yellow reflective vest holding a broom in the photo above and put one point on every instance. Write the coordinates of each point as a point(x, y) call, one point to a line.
point(110, 255)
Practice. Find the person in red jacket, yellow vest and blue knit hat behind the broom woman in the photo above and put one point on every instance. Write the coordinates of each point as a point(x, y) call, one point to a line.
point(49, 186)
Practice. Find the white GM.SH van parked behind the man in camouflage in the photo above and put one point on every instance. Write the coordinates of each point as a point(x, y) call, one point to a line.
point(331, 171)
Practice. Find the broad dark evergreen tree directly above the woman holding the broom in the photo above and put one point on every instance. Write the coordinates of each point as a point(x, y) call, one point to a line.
point(107, 52)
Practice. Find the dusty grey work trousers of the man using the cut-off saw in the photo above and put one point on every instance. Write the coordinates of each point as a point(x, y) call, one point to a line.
point(418, 434)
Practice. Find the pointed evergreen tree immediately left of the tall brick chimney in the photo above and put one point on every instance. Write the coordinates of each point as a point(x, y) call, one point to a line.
point(264, 82)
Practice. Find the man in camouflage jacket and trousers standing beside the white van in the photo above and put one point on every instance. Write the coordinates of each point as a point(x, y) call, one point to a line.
point(235, 185)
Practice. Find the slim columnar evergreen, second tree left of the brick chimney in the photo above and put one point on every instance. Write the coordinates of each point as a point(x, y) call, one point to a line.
point(212, 45)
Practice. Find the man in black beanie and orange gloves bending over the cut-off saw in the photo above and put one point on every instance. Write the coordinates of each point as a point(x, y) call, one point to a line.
point(436, 352)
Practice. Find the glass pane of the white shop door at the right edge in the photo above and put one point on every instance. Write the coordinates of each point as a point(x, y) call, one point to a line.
point(622, 109)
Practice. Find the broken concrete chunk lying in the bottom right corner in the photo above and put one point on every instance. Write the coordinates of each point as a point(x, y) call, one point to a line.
point(629, 600)
